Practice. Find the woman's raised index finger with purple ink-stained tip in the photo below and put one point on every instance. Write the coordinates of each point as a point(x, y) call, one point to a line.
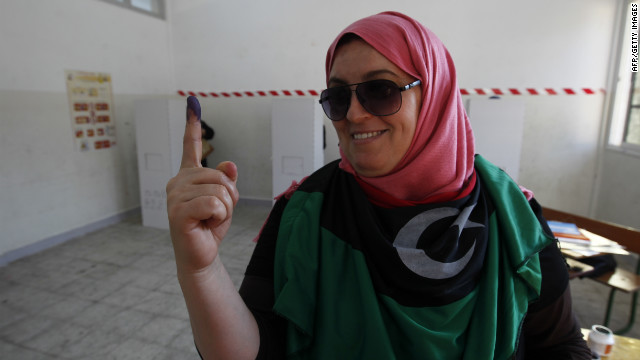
point(192, 142)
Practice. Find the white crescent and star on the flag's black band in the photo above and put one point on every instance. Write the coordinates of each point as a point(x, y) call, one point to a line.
point(416, 259)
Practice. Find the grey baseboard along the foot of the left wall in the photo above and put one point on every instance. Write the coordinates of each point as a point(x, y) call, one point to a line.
point(47, 243)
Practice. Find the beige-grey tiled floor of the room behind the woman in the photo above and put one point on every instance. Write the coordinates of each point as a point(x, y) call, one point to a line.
point(113, 294)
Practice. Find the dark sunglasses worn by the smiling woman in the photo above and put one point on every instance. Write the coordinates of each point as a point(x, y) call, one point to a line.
point(378, 97)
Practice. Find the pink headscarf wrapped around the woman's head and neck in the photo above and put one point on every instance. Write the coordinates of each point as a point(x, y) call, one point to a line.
point(439, 163)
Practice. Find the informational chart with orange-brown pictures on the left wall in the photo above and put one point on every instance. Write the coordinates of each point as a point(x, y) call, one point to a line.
point(91, 109)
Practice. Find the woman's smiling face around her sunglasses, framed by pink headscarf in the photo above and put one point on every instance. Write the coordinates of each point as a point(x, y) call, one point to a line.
point(374, 145)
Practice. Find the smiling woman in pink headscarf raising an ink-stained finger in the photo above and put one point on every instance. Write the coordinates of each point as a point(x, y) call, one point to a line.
point(408, 247)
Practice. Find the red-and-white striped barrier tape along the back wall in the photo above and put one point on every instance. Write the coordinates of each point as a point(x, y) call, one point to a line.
point(463, 91)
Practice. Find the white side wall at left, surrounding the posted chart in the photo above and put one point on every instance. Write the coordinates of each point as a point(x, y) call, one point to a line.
point(46, 187)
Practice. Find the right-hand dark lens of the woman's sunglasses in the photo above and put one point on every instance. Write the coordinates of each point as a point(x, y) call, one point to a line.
point(380, 97)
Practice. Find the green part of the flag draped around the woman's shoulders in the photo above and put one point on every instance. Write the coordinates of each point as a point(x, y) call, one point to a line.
point(324, 290)
